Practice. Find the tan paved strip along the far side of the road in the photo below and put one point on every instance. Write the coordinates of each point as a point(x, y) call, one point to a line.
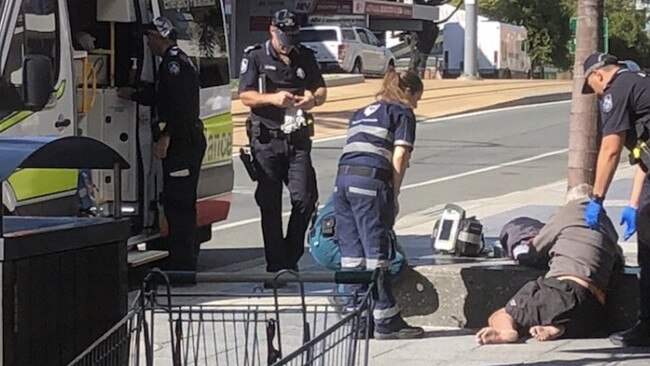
point(441, 98)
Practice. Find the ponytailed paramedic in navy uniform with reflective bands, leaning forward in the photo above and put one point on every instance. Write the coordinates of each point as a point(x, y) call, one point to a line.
point(370, 173)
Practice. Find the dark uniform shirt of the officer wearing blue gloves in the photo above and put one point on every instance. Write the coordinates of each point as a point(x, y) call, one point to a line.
point(625, 100)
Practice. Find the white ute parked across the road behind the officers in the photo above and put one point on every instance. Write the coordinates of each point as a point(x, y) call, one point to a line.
point(347, 49)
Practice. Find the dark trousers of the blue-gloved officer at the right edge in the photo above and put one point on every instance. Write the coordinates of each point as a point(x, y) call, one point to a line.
point(643, 239)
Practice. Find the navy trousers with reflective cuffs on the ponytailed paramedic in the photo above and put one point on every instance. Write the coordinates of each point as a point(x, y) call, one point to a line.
point(364, 210)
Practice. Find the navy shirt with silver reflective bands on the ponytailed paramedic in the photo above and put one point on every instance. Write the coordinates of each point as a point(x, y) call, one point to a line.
point(373, 133)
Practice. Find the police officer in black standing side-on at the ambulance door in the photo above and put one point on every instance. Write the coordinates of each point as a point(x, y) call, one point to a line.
point(179, 140)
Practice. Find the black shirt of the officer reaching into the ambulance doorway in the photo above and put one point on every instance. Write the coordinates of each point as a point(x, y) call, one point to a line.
point(177, 101)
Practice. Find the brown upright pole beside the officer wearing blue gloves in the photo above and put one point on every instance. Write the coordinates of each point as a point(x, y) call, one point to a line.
point(583, 144)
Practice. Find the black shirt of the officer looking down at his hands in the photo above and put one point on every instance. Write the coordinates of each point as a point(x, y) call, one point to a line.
point(302, 73)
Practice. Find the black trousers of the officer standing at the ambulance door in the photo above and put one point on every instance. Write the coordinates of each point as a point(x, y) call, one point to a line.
point(181, 169)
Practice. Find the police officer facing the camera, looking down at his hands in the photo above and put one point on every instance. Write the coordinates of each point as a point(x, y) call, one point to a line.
point(276, 79)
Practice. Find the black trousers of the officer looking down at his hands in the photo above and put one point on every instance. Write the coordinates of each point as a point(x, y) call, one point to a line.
point(281, 161)
